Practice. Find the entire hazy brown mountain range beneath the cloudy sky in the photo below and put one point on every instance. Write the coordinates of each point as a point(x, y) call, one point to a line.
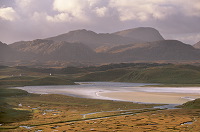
point(84, 47)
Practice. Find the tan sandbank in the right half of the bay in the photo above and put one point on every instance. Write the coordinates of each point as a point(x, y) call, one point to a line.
point(151, 97)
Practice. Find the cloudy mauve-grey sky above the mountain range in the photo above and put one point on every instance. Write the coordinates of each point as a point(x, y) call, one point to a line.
point(32, 19)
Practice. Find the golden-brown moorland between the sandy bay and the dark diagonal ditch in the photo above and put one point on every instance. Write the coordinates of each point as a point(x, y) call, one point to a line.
point(19, 108)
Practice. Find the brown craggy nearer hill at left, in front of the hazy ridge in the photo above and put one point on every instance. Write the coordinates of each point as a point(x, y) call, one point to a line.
point(49, 50)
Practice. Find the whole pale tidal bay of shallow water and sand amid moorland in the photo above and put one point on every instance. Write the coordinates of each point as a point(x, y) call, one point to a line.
point(122, 91)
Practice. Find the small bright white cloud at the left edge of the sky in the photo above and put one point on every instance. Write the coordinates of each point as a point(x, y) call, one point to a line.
point(8, 13)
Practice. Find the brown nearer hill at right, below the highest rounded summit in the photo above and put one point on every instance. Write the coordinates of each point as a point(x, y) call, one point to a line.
point(158, 50)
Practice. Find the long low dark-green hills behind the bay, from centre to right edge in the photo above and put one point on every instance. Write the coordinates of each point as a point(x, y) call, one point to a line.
point(166, 74)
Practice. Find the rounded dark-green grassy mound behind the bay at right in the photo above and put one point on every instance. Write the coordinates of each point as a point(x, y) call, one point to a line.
point(166, 75)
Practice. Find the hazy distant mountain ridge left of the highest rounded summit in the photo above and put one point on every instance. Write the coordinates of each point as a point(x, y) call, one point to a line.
point(92, 39)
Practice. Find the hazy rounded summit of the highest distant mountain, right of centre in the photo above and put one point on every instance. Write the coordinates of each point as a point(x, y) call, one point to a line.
point(146, 34)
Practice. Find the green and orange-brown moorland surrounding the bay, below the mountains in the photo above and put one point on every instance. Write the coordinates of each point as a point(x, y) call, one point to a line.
point(21, 111)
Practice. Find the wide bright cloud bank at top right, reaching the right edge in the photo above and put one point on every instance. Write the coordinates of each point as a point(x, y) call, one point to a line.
point(154, 9)
